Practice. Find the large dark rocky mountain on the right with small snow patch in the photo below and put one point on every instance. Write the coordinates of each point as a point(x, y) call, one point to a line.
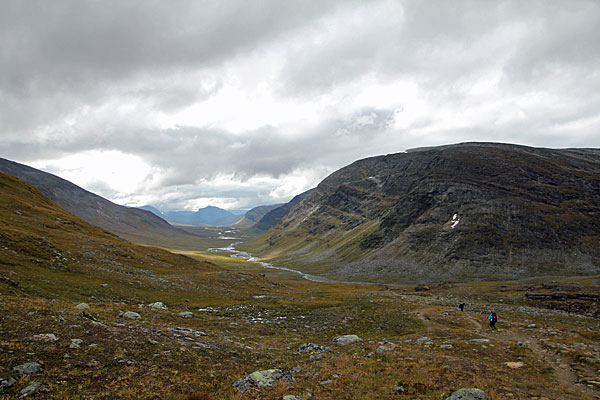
point(459, 212)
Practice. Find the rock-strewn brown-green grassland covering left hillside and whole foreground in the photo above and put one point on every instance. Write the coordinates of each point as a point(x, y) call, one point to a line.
point(257, 323)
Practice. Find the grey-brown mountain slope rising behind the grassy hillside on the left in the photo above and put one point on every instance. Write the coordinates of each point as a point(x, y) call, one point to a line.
point(130, 223)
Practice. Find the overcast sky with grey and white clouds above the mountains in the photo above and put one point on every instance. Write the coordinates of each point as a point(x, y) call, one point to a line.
point(184, 104)
